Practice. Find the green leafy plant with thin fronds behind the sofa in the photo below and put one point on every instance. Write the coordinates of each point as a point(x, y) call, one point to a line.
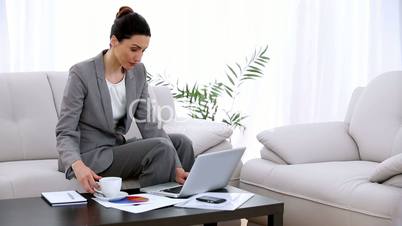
point(203, 101)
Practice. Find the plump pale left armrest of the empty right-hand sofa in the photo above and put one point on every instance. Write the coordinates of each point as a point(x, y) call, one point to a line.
point(308, 143)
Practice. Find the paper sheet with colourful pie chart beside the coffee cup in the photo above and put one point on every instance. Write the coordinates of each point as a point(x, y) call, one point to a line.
point(154, 202)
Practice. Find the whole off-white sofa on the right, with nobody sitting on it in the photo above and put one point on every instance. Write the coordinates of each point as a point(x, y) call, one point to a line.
point(337, 173)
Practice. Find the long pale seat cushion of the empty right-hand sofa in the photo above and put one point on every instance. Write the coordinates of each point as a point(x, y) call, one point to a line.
point(339, 184)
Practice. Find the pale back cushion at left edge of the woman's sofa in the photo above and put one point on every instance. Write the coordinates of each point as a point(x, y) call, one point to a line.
point(27, 117)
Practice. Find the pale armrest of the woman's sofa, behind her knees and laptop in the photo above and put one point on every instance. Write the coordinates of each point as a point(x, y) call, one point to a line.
point(203, 133)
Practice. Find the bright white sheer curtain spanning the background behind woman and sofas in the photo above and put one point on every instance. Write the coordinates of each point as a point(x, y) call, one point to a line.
point(320, 50)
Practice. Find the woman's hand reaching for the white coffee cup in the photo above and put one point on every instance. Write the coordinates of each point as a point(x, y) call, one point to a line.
point(85, 176)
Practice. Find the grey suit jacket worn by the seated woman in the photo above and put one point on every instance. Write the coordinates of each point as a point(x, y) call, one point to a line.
point(85, 130)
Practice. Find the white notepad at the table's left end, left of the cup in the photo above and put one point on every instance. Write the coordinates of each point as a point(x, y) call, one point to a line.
point(64, 198)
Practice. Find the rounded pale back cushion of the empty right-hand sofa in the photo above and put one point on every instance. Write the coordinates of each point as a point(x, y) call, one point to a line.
point(377, 117)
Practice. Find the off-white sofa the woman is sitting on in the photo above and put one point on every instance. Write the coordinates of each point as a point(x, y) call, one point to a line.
point(28, 115)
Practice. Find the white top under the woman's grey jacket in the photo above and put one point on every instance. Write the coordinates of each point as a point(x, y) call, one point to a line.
point(118, 98)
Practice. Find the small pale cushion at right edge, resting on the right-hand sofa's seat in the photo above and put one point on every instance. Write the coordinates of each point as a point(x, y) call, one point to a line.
point(387, 169)
